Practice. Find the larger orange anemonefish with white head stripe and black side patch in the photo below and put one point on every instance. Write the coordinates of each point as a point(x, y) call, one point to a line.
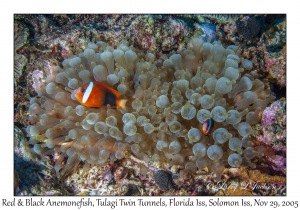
point(99, 95)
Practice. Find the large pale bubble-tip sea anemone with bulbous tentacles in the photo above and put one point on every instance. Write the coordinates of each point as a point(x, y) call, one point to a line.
point(169, 100)
